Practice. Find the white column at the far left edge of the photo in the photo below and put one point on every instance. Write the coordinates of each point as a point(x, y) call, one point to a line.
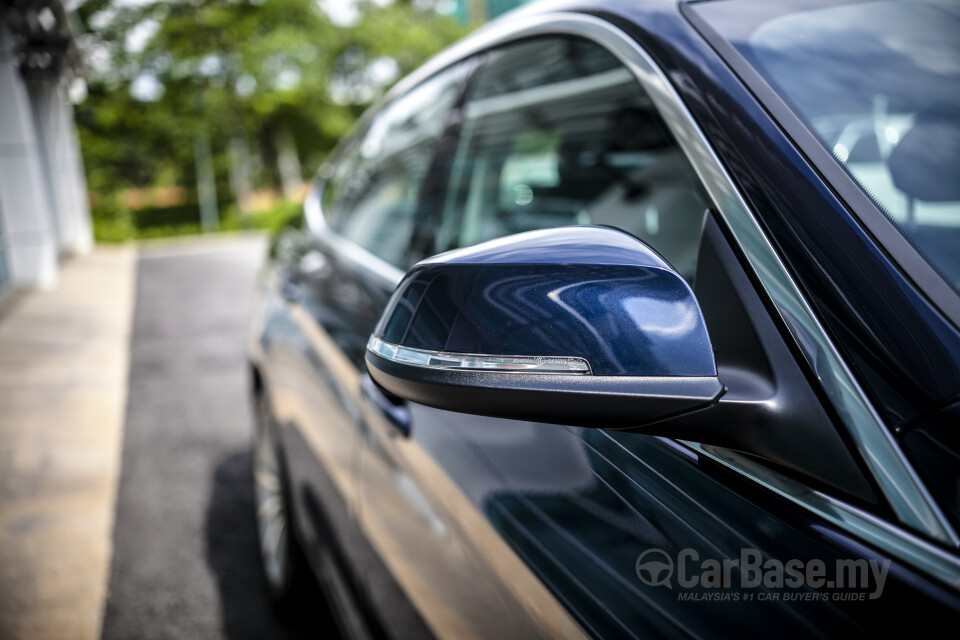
point(28, 228)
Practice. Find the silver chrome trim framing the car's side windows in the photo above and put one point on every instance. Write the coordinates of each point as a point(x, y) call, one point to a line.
point(909, 499)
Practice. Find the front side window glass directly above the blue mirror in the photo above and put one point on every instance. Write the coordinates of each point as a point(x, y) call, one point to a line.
point(556, 131)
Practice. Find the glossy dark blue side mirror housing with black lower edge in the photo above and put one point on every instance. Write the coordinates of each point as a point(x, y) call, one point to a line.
point(584, 326)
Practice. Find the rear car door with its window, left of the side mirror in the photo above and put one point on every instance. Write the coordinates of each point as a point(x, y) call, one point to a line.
point(336, 275)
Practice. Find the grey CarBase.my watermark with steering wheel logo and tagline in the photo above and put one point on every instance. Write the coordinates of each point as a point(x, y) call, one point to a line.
point(814, 579)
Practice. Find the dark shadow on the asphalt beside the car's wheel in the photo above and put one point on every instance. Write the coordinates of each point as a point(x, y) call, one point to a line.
point(233, 556)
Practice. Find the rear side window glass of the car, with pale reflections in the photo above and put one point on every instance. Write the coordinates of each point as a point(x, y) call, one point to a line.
point(376, 184)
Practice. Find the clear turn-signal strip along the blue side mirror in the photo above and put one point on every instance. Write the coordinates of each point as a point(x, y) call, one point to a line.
point(451, 360)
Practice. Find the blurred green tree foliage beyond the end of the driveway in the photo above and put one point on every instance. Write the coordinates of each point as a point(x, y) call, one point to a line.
point(229, 70)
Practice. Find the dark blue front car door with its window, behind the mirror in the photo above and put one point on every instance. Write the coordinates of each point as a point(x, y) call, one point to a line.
point(502, 527)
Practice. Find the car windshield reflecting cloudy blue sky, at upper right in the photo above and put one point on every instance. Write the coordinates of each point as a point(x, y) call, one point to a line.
point(879, 85)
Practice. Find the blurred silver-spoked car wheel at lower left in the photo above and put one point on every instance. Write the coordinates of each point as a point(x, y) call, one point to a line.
point(281, 558)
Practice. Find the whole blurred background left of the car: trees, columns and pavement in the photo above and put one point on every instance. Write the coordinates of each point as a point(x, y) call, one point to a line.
point(125, 498)
